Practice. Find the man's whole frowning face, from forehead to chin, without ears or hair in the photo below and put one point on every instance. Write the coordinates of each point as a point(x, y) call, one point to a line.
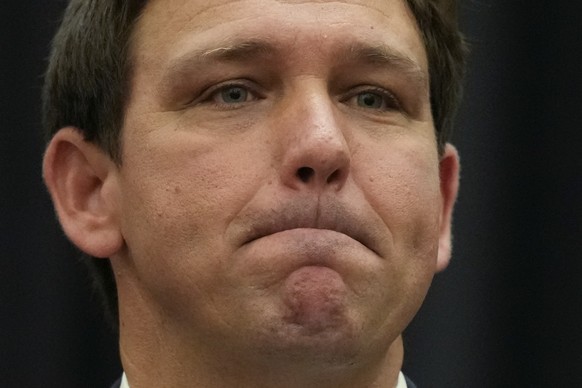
point(280, 178)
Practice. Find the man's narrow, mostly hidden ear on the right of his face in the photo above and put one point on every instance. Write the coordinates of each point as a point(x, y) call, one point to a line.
point(449, 167)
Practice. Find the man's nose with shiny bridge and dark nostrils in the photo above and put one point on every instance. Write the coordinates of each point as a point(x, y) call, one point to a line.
point(315, 152)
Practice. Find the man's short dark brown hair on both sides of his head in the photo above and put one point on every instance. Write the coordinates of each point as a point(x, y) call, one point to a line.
point(89, 72)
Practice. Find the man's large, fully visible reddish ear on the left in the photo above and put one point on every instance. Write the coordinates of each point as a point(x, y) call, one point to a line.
point(82, 181)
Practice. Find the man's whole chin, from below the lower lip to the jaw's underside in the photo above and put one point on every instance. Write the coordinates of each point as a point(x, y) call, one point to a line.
point(316, 320)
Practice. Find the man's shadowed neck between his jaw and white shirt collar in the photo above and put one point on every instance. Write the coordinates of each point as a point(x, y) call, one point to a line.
point(168, 364)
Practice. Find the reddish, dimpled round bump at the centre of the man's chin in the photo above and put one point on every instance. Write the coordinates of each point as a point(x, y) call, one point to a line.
point(315, 300)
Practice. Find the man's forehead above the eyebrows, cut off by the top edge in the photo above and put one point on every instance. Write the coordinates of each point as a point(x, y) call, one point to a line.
point(172, 28)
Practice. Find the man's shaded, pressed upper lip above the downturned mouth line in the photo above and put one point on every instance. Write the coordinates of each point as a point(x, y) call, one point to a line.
point(335, 217)
